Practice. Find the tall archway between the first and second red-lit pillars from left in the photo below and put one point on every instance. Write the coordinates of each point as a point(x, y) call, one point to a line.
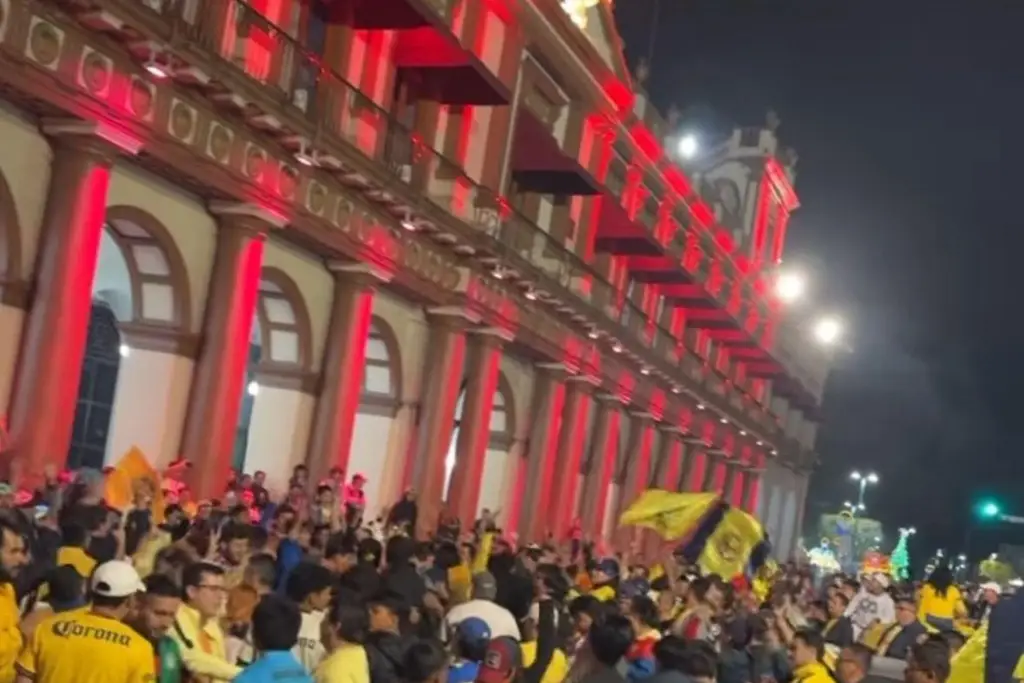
point(141, 285)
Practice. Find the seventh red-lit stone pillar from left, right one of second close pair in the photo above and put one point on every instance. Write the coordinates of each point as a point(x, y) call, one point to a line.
point(572, 443)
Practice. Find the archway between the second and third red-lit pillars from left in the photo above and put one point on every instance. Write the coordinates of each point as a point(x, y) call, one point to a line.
point(280, 356)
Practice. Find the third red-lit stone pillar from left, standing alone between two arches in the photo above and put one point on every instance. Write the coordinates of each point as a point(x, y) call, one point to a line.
point(345, 356)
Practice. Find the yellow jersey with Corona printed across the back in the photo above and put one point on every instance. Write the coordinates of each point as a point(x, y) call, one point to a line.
point(87, 648)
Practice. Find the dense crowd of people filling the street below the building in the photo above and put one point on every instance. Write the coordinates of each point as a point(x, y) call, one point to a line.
point(300, 587)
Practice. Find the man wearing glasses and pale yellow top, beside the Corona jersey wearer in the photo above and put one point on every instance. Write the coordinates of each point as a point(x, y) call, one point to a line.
point(197, 629)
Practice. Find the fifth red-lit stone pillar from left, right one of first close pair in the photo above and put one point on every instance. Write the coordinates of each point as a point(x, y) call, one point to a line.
point(475, 424)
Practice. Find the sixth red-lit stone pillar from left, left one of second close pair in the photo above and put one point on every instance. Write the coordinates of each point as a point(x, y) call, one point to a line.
point(546, 417)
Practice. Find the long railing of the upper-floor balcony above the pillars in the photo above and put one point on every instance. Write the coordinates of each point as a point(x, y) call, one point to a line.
point(263, 53)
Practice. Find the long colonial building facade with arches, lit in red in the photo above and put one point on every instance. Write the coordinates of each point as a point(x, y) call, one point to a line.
point(435, 242)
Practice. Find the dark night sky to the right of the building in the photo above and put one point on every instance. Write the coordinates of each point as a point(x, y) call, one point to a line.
point(909, 119)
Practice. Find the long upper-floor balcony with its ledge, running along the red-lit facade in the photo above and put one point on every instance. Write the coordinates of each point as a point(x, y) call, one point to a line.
point(285, 92)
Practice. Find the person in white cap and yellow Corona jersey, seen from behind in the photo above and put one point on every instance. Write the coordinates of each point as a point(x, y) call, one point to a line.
point(92, 645)
